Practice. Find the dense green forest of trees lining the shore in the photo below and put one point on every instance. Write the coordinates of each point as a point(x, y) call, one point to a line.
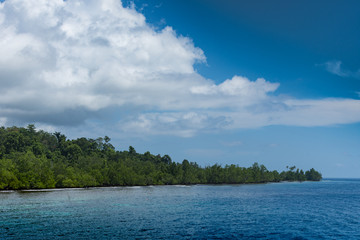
point(38, 159)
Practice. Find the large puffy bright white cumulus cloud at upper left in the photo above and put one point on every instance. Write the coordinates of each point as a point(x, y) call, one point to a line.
point(88, 54)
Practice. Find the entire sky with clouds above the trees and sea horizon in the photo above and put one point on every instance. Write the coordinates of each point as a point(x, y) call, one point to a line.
point(227, 82)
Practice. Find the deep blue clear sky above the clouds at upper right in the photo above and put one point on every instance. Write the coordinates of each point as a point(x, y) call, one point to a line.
point(285, 41)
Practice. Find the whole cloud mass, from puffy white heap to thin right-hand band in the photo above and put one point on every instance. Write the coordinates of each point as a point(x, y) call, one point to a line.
point(66, 63)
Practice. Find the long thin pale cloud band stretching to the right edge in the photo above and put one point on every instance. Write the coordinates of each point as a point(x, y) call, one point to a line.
point(303, 113)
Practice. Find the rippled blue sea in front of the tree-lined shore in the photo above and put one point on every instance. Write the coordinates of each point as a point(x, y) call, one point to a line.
point(312, 210)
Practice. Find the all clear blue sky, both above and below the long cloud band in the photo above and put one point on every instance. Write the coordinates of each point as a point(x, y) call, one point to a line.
point(288, 42)
